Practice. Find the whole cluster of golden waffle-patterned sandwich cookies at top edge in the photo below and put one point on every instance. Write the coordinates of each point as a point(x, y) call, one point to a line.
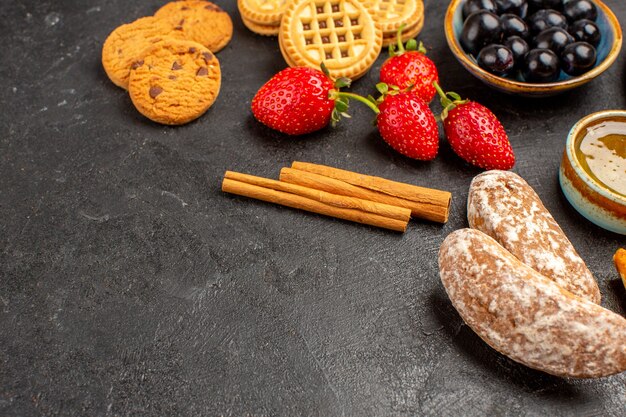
point(346, 35)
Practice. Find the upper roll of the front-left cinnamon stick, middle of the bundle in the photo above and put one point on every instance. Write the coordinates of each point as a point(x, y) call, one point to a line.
point(340, 201)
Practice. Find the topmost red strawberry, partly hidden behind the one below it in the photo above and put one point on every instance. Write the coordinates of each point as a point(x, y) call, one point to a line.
point(410, 67)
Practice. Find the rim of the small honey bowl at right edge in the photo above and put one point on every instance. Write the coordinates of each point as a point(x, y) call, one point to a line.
point(570, 149)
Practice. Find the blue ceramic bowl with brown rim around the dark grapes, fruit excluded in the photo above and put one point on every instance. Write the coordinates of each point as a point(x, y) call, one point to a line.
point(608, 50)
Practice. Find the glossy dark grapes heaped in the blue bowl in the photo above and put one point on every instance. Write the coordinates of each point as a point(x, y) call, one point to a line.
point(538, 38)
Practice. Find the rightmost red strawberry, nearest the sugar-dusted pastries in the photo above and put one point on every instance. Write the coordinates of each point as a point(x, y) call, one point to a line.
point(475, 133)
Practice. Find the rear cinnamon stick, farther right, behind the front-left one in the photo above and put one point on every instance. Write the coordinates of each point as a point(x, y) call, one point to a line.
point(425, 203)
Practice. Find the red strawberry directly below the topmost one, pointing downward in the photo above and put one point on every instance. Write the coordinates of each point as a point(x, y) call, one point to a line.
point(408, 125)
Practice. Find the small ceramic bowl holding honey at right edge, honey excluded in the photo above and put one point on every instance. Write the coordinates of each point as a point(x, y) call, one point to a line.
point(598, 203)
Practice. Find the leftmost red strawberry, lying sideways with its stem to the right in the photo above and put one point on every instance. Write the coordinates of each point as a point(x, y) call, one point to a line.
point(300, 100)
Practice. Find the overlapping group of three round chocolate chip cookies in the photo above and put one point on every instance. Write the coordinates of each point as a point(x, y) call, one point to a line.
point(166, 61)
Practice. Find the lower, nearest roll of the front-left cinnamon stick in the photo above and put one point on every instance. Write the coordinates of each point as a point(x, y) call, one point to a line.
point(270, 195)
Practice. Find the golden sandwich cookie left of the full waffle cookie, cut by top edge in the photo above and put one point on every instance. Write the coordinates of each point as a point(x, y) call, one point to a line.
point(262, 16)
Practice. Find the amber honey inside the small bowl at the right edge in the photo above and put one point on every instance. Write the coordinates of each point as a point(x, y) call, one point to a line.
point(601, 151)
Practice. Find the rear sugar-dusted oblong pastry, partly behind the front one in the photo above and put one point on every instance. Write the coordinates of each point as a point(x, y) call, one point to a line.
point(503, 205)
